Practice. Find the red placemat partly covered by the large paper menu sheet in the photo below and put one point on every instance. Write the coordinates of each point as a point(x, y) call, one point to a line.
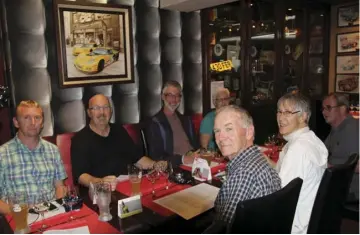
point(148, 201)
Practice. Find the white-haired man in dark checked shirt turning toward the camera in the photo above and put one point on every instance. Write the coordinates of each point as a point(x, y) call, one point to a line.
point(248, 173)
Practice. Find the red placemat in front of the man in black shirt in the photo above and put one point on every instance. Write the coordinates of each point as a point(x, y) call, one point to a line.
point(145, 186)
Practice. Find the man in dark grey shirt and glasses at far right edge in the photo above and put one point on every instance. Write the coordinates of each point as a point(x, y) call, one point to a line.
point(343, 139)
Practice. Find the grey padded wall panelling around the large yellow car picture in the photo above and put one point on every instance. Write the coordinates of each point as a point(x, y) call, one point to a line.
point(167, 46)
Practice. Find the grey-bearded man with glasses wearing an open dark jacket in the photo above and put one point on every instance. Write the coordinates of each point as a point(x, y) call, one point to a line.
point(171, 135)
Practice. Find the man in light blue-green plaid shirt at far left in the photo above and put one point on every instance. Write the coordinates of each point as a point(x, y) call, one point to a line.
point(30, 165)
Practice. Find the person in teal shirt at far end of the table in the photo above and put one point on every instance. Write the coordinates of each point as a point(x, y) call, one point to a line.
point(220, 99)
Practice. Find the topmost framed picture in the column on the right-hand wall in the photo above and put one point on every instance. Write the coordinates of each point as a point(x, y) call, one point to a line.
point(348, 16)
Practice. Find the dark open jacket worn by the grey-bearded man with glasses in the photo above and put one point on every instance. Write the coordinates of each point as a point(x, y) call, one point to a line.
point(160, 141)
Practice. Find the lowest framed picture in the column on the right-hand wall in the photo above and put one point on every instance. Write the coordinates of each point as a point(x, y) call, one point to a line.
point(348, 83)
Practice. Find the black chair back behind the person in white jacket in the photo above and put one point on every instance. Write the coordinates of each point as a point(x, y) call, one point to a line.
point(328, 206)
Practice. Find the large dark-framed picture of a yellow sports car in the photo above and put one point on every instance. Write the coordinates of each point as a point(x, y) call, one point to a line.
point(94, 43)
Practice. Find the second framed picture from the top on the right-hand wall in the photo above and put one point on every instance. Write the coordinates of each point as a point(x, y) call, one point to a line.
point(347, 42)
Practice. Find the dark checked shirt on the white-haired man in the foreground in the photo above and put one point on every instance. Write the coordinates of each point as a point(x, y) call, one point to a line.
point(248, 176)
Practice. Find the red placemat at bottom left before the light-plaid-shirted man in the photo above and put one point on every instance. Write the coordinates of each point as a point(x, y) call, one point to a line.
point(86, 214)
